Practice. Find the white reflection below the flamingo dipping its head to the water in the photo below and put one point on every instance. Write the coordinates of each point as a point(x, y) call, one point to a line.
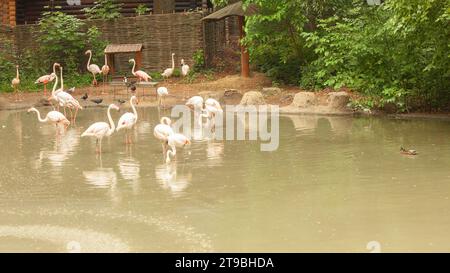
point(168, 178)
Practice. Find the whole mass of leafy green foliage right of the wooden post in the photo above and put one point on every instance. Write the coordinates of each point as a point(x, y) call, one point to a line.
point(397, 53)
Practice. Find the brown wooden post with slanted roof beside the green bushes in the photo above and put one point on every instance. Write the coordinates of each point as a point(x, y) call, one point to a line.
point(237, 9)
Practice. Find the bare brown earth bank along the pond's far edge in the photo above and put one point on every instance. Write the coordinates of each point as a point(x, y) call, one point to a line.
point(179, 92)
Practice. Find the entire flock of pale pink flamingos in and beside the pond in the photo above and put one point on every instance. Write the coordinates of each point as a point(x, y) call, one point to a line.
point(169, 139)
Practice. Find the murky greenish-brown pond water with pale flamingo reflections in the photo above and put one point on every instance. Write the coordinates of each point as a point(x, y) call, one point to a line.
point(334, 184)
